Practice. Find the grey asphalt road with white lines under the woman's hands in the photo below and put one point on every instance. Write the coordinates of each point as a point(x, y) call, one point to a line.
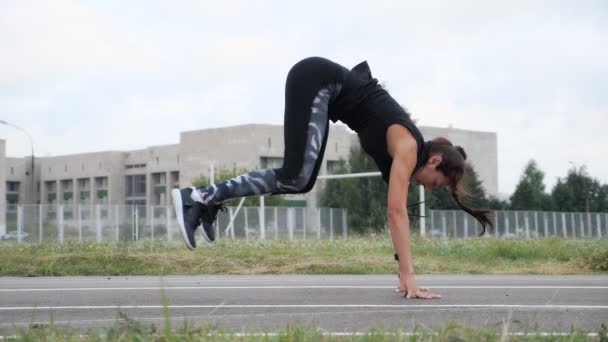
point(332, 303)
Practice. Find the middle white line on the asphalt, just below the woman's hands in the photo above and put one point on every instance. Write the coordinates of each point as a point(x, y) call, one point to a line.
point(282, 306)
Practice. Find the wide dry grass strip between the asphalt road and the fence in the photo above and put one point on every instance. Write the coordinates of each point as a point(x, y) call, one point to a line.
point(357, 255)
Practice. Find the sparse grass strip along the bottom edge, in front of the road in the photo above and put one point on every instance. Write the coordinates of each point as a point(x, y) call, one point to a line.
point(127, 329)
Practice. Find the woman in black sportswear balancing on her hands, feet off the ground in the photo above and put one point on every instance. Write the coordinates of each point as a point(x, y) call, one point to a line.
point(319, 90)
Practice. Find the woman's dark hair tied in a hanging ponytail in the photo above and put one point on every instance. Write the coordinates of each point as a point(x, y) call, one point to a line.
point(453, 167)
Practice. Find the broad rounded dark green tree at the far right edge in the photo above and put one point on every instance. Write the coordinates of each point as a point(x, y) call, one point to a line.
point(579, 192)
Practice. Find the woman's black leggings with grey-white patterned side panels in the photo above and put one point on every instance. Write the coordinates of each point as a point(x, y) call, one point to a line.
point(312, 84)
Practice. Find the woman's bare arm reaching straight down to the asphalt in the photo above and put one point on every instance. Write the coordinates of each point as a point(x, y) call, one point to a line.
point(404, 154)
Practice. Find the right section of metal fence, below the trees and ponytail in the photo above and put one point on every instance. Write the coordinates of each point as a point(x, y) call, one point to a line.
point(523, 224)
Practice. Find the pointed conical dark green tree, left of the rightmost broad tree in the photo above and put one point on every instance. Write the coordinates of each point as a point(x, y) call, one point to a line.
point(530, 191)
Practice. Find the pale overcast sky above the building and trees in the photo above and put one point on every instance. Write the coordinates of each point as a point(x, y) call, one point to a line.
point(84, 76)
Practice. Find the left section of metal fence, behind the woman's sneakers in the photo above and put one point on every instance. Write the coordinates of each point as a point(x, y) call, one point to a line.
point(99, 223)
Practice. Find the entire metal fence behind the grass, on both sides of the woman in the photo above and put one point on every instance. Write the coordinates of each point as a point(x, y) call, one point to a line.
point(60, 223)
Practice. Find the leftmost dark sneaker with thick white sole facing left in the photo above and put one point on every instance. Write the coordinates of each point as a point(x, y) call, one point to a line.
point(188, 213)
